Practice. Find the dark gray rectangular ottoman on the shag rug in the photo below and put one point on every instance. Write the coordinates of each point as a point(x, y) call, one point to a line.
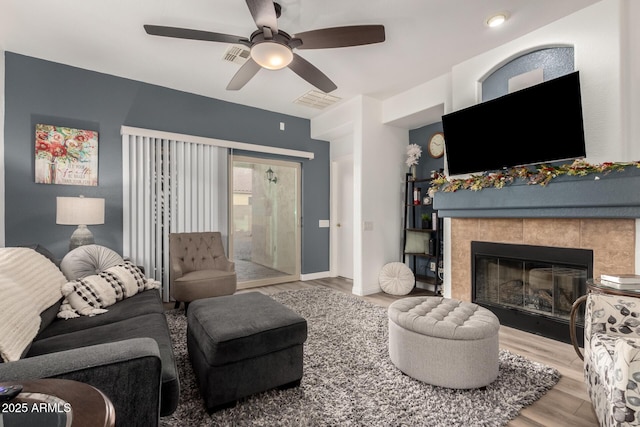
point(243, 344)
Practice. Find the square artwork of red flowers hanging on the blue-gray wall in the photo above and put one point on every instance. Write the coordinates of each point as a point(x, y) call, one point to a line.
point(66, 156)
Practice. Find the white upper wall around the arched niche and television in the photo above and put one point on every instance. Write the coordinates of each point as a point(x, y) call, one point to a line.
point(606, 39)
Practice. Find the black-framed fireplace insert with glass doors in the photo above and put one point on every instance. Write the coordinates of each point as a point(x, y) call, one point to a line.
point(530, 287)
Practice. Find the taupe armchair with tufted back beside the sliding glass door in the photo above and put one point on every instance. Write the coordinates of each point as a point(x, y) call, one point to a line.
point(199, 267)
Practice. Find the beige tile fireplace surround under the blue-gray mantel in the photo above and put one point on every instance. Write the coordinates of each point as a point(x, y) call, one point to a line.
point(612, 242)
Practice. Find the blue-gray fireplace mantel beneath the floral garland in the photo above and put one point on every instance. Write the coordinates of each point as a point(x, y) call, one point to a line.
point(615, 195)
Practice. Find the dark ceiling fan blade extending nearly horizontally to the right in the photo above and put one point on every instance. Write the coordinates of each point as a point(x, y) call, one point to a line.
point(355, 35)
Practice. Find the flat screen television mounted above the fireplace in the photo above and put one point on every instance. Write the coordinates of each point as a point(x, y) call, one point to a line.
point(539, 124)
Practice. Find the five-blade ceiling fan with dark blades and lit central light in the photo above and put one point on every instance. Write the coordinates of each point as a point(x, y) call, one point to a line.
point(272, 48)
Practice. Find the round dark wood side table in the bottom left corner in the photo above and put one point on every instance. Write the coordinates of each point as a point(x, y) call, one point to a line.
point(57, 402)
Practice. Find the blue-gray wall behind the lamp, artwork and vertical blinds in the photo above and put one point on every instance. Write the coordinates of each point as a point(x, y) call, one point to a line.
point(38, 91)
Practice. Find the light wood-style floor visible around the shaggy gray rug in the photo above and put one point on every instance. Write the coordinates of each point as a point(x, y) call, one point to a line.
point(566, 404)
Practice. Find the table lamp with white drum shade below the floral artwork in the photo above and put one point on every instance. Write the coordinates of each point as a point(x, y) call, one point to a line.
point(80, 211)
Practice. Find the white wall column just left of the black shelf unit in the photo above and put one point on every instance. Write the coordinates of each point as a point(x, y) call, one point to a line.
point(378, 164)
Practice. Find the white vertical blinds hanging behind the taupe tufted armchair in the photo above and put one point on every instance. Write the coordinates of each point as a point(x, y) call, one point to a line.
point(169, 186)
